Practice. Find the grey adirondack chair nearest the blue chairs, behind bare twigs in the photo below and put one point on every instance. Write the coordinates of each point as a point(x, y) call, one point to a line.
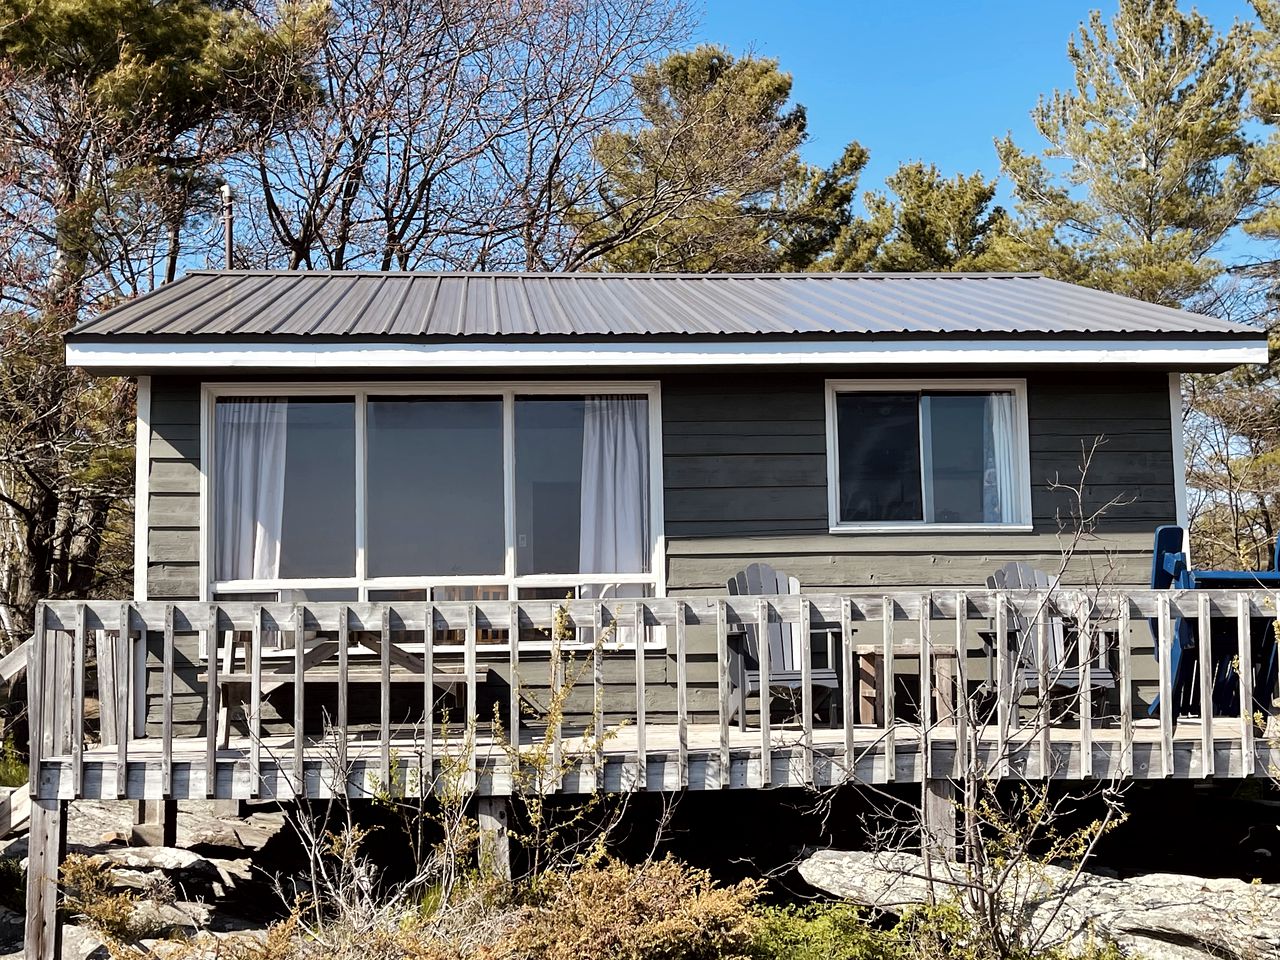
point(1063, 676)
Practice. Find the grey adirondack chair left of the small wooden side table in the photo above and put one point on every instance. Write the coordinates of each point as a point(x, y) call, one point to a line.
point(785, 647)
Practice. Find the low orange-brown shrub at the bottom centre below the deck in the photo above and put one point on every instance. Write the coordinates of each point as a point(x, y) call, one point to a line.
point(662, 911)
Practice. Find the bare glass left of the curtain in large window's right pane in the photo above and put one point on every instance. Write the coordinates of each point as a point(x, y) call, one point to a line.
point(548, 484)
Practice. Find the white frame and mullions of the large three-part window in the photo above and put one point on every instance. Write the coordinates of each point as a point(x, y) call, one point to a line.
point(505, 391)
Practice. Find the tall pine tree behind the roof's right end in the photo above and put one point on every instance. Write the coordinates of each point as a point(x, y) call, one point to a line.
point(1149, 166)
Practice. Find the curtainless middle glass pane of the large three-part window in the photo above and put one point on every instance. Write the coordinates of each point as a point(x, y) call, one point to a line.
point(436, 487)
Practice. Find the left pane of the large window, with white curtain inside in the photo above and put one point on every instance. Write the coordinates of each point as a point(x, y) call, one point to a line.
point(285, 488)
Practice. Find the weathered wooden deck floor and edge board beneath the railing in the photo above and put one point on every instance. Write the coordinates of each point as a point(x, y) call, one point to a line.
point(664, 767)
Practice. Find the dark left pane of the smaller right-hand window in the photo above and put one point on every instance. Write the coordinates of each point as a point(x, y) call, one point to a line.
point(880, 458)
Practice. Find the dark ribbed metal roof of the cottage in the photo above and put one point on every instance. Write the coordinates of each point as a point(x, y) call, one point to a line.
point(376, 305)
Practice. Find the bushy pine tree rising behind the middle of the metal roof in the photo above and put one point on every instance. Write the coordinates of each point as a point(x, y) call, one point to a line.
point(714, 180)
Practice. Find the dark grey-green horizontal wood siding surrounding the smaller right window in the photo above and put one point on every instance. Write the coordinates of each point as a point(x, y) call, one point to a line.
point(746, 479)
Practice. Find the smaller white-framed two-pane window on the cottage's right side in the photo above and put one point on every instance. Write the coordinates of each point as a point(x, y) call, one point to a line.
point(948, 454)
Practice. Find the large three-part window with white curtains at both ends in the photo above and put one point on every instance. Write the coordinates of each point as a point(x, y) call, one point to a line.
point(418, 496)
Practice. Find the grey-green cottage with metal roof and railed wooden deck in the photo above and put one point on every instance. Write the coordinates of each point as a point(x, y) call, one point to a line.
point(764, 513)
